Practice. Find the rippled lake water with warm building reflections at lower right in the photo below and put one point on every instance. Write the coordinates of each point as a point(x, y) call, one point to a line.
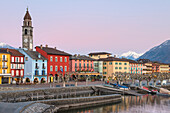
point(132, 104)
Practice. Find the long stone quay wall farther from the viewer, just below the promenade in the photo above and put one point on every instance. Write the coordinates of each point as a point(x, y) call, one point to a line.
point(43, 94)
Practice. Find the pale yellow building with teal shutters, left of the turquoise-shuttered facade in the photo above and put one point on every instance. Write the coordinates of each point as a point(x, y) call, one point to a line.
point(113, 65)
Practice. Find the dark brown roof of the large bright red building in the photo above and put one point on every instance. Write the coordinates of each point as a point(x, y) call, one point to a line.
point(54, 51)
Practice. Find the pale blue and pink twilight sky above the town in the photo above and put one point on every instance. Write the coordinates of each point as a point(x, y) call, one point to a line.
point(84, 26)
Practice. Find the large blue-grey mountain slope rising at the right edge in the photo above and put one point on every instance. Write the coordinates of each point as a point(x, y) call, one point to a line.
point(159, 53)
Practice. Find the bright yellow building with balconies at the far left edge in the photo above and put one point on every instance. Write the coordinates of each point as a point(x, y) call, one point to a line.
point(5, 67)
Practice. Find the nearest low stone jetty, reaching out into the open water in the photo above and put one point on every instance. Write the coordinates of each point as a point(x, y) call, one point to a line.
point(55, 105)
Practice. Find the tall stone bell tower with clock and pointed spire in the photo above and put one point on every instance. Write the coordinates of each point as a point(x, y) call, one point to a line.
point(27, 32)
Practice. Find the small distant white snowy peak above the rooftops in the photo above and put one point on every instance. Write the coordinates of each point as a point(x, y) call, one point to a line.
point(131, 55)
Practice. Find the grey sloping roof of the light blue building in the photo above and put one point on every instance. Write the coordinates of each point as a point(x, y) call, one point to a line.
point(34, 55)
